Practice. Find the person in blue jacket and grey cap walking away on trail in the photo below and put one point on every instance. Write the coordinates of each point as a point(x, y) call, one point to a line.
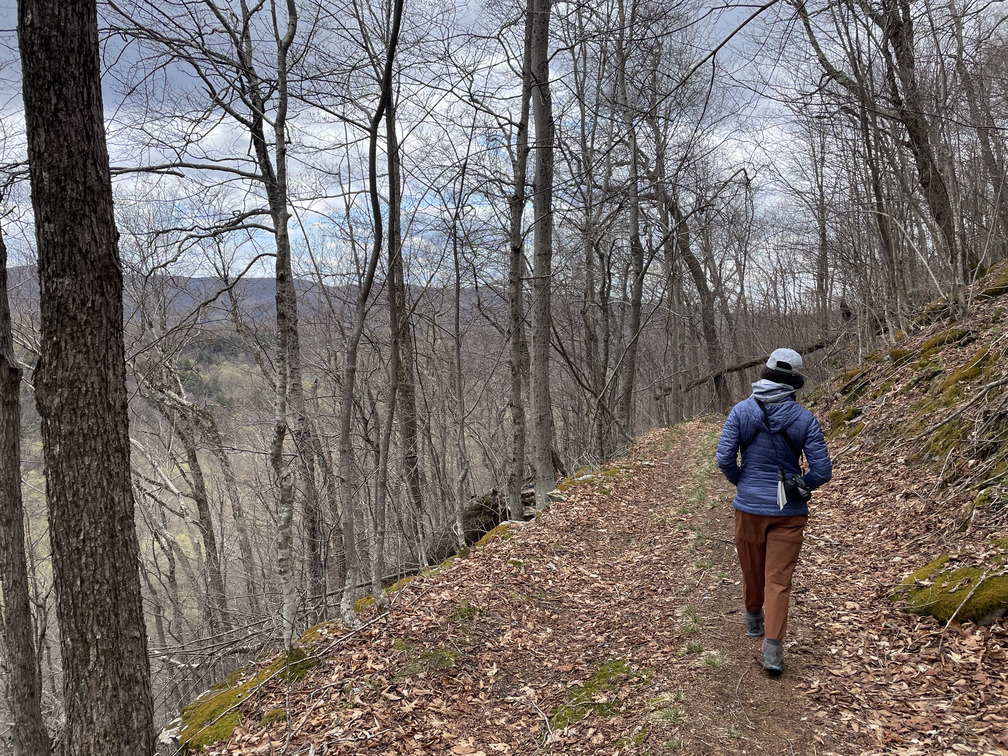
point(773, 431)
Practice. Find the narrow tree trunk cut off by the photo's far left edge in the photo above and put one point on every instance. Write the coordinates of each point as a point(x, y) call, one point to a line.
point(25, 687)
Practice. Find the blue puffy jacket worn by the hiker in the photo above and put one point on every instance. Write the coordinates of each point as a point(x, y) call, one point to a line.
point(763, 455)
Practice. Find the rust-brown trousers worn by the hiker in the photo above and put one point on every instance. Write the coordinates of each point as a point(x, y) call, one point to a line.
point(769, 551)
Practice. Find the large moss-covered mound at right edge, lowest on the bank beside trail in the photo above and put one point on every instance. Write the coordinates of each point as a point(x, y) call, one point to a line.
point(970, 594)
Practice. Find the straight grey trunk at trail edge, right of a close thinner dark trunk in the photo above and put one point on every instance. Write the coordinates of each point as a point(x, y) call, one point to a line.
point(543, 201)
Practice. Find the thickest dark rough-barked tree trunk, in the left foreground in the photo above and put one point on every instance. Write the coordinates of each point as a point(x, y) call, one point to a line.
point(81, 386)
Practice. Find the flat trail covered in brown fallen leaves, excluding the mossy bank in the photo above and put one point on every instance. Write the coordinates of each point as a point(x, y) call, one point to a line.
point(614, 625)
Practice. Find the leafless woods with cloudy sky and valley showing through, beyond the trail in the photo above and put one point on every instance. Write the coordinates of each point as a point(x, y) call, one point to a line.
point(390, 266)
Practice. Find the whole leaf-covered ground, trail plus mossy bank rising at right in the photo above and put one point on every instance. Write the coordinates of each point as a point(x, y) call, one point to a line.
point(613, 624)
